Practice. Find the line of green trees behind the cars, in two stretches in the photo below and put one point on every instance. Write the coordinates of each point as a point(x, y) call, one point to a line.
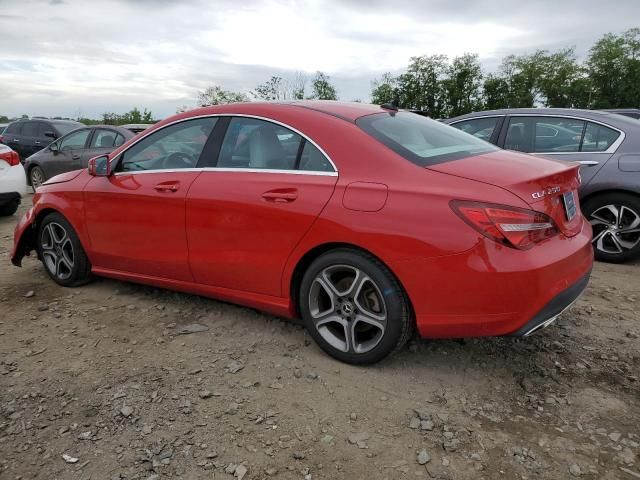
point(443, 87)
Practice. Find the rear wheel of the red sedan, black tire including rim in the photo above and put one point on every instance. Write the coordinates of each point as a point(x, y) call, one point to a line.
point(377, 343)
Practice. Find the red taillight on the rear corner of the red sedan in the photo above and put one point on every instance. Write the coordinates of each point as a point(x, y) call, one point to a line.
point(515, 227)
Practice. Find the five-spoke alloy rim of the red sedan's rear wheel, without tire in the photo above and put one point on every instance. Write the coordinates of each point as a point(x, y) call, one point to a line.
point(347, 309)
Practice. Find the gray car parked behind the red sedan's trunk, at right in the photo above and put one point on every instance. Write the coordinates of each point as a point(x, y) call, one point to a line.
point(607, 146)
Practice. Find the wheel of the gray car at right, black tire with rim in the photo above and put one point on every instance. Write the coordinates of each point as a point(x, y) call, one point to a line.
point(605, 250)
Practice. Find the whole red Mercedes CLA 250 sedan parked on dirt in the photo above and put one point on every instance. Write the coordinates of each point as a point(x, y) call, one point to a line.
point(364, 221)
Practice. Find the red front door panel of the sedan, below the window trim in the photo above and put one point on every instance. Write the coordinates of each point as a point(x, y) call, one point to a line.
point(136, 222)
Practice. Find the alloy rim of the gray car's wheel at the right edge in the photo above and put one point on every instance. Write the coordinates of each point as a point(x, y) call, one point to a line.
point(616, 228)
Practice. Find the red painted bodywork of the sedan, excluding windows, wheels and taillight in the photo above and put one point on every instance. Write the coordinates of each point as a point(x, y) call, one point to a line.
point(218, 236)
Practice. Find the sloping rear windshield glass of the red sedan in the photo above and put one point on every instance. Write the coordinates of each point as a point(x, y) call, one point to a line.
point(421, 140)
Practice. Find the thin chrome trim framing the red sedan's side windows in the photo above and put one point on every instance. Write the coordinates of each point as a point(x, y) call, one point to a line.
point(256, 170)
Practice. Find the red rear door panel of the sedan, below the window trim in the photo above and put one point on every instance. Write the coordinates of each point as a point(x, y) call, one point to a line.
point(240, 240)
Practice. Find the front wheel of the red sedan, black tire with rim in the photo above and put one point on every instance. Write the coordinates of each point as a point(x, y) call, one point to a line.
point(74, 270)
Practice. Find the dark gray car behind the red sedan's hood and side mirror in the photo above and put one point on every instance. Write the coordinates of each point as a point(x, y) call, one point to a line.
point(73, 151)
